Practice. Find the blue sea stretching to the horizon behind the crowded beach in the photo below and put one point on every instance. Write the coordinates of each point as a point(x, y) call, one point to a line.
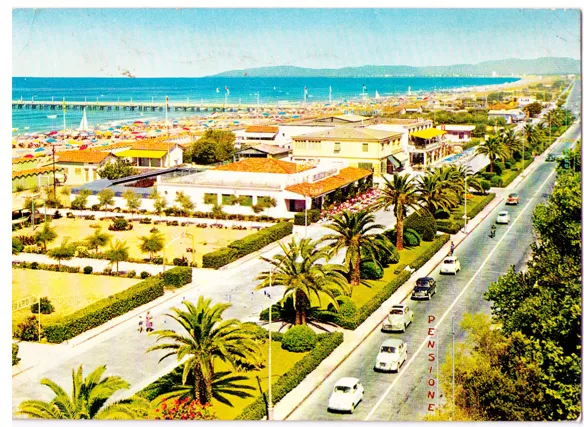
point(244, 90)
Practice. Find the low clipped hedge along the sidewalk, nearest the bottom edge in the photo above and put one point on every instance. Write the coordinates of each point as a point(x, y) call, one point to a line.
point(294, 376)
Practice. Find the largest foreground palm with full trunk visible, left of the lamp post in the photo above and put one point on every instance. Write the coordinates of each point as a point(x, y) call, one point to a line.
point(208, 337)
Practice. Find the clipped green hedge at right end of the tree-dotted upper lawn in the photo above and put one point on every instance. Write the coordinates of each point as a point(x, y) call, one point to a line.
point(247, 245)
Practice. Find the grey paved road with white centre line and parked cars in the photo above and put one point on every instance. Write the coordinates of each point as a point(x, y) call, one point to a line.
point(404, 396)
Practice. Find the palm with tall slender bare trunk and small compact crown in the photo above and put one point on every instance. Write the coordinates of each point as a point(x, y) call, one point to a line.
point(399, 194)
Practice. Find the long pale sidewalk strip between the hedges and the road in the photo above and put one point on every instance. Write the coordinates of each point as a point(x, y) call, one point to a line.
point(352, 339)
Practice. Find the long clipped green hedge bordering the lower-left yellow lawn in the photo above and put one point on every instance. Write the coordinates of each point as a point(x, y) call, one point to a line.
point(104, 310)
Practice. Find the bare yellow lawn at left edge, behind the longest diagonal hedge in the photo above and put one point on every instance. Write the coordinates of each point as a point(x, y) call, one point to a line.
point(68, 292)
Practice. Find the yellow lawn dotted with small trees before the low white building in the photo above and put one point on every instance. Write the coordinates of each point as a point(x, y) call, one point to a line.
point(206, 239)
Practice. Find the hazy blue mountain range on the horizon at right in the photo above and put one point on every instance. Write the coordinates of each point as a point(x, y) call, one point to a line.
point(504, 67)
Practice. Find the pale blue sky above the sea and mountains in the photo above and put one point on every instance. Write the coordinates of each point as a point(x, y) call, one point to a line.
point(200, 42)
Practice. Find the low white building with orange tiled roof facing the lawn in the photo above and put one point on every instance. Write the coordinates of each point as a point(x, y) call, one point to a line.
point(253, 180)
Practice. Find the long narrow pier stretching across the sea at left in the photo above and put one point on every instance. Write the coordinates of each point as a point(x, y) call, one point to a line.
point(149, 106)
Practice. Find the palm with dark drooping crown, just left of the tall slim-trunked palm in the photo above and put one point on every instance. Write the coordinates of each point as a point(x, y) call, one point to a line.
point(354, 232)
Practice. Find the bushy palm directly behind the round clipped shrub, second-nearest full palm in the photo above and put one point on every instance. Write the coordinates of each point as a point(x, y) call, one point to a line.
point(302, 275)
